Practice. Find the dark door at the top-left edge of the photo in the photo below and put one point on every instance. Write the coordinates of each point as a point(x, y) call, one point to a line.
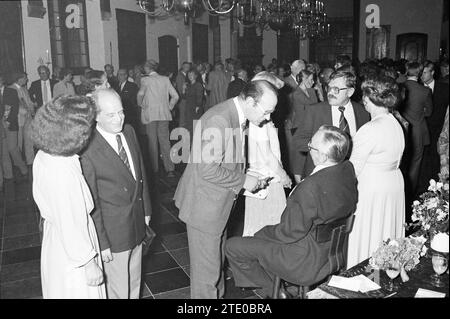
point(11, 54)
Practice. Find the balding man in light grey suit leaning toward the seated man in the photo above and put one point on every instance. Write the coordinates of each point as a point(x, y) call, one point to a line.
point(214, 177)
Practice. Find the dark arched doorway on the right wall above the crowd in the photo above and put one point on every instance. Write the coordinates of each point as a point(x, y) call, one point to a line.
point(412, 46)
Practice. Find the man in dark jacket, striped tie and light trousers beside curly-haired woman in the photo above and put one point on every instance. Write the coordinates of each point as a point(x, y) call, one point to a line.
point(114, 170)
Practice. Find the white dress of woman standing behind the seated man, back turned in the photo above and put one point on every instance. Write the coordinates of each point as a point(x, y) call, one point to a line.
point(380, 214)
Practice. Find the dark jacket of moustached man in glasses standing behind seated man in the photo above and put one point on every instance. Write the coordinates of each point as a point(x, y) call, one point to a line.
point(317, 115)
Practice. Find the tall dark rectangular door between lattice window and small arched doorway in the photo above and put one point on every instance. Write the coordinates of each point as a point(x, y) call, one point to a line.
point(131, 37)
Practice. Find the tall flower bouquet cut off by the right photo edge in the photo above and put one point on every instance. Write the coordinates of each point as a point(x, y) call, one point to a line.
point(430, 213)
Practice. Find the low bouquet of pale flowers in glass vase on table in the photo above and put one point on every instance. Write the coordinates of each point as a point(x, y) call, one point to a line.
point(404, 252)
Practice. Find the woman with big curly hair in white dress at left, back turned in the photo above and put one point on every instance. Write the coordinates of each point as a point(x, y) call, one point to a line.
point(70, 264)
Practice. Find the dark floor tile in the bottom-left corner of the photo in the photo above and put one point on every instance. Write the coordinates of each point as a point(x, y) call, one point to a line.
point(21, 289)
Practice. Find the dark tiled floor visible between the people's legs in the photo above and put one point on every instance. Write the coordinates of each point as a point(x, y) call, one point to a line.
point(165, 267)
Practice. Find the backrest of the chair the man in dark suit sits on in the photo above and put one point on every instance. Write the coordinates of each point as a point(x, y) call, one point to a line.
point(337, 232)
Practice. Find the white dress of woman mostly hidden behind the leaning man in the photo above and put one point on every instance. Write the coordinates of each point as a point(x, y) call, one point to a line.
point(263, 212)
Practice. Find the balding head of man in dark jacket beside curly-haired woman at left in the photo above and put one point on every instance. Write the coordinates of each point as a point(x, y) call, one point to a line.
point(110, 116)
